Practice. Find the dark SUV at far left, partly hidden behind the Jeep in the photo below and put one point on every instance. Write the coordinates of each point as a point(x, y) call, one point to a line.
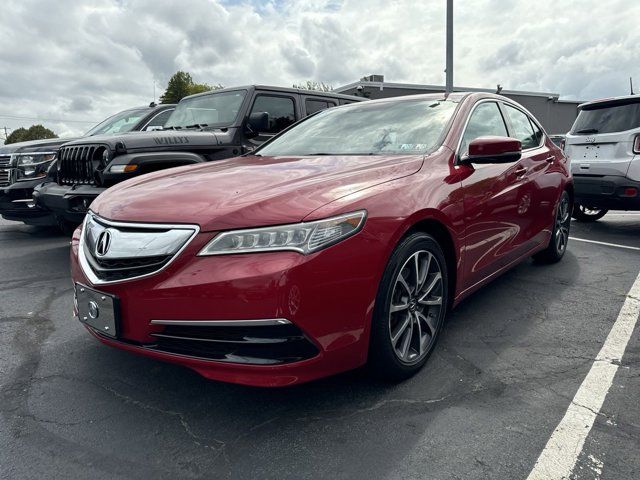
point(24, 165)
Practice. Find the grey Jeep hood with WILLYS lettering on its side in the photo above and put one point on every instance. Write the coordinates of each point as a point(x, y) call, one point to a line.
point(159, 140)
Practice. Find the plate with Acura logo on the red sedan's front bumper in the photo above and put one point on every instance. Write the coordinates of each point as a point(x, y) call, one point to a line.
point(97, 309)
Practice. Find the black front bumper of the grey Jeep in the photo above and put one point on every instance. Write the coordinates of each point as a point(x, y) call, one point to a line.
point(69, 203)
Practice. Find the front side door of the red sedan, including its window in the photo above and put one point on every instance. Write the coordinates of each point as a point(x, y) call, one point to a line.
point(493, 199)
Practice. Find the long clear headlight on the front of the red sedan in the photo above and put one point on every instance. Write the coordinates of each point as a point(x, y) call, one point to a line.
point(305, 238)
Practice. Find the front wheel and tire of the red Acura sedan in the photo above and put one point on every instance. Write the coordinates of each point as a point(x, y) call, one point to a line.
point(410, 308)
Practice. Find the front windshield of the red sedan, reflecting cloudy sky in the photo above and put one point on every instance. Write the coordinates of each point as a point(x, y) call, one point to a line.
point(397, 127)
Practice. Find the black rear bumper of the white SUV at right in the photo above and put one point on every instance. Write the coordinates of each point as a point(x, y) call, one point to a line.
point(606, 192)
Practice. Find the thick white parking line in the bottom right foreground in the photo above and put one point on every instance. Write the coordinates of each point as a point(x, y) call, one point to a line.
point(559, 456)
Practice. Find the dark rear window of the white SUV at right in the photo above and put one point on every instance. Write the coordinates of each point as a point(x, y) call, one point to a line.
point(614, 118)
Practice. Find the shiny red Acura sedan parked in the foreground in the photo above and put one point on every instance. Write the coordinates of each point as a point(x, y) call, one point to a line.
point(342, 241)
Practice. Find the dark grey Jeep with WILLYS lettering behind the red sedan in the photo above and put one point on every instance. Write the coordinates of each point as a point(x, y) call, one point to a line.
point(208, 126)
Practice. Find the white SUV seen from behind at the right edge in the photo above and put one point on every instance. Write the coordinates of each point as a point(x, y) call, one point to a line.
point(604, 149)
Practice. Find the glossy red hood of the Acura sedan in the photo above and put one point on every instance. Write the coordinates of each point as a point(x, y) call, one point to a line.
point(248, 191)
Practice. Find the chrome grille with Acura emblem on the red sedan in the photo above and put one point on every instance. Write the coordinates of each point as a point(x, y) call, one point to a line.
point(114, 251)
